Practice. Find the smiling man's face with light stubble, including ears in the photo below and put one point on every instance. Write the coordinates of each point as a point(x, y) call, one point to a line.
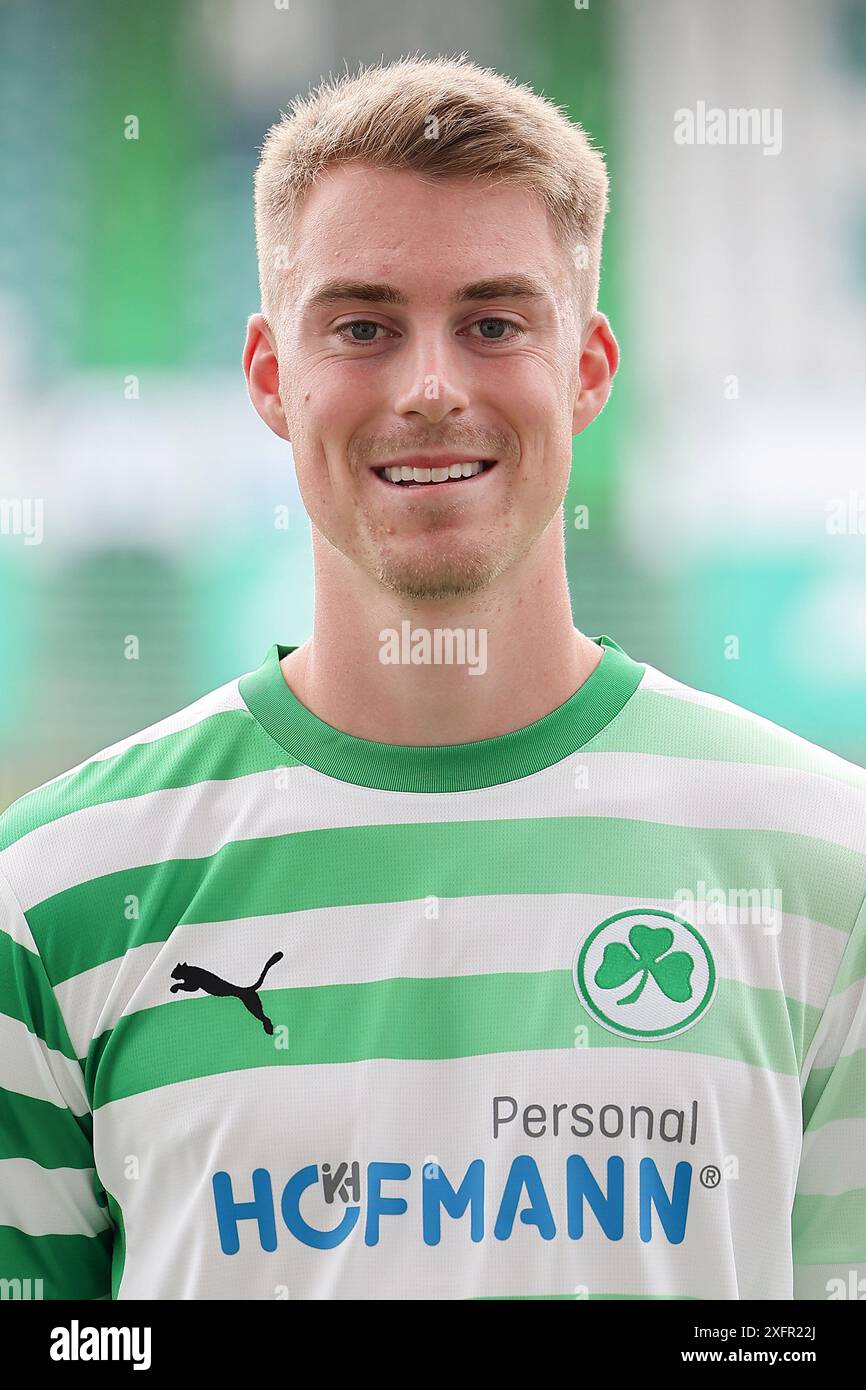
point(455, 341)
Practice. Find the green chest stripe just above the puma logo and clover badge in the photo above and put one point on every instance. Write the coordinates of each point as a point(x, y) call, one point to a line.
point(85, 926)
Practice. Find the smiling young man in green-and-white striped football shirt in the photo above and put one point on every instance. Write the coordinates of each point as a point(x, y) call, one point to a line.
point(451, 954)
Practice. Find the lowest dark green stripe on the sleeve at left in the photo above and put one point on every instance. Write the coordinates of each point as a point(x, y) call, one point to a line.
point(72, 1267)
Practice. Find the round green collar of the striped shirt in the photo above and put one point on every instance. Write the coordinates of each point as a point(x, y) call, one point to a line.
point(487, 762)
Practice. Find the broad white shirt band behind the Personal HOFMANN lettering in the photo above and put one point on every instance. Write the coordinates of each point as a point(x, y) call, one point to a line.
point(283, 1120)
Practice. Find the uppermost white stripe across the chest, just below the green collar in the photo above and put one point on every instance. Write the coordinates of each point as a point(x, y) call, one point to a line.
point(195, 822)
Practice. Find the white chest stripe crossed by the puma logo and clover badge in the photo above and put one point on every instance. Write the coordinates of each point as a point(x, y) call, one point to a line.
point(471, 936)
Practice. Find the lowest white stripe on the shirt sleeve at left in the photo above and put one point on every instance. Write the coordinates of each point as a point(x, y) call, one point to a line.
point(49, 1202)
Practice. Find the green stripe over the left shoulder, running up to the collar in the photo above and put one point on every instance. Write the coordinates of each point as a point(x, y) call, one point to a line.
point(219, 749)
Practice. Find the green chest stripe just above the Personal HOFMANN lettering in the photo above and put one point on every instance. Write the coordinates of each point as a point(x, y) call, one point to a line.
point(411, 1020)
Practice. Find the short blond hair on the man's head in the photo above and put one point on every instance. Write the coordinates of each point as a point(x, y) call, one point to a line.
point(443, 117)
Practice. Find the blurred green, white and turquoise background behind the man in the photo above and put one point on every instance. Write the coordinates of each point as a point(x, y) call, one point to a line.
point(142, 497)
